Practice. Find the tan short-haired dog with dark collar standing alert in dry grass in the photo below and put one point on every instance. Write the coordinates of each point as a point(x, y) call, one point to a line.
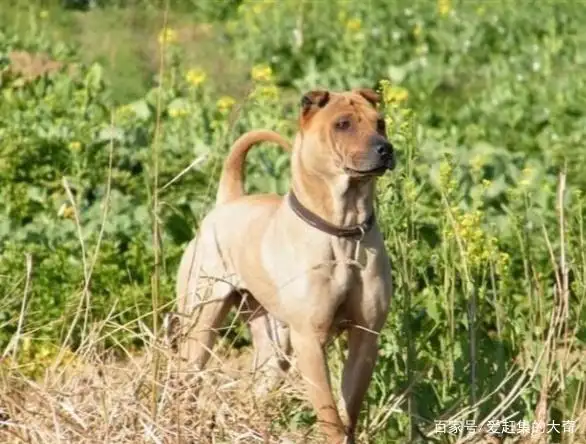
point(314, 260)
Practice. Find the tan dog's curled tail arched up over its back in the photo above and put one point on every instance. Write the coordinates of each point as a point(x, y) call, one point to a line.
point(232, 179)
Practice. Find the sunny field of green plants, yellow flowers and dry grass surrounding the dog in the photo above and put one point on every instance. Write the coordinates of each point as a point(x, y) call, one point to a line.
point(115, 118)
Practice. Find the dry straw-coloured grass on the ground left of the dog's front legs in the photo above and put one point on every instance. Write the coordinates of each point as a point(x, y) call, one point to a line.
point(95, 399)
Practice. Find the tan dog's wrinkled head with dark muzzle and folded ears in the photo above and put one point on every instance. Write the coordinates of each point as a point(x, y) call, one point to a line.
point(343, 134)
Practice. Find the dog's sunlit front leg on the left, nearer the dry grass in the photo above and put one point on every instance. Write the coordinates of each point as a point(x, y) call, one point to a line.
point(311, 361)
